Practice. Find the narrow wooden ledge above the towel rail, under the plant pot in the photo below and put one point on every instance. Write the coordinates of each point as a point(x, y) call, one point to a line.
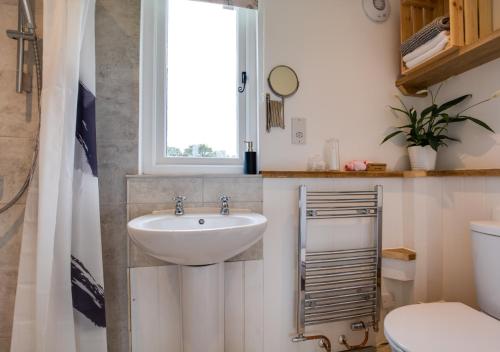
point(381, 174)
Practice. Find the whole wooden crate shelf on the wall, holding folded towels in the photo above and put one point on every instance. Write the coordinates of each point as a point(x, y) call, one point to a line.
point(473, 39)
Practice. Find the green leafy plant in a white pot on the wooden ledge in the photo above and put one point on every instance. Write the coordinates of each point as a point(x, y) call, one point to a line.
point(428, 131)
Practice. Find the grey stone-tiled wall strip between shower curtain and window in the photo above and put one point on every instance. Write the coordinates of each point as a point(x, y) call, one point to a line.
point(117, 90)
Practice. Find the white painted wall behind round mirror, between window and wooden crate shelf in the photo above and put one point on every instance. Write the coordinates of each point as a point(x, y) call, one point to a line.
point(346, 66)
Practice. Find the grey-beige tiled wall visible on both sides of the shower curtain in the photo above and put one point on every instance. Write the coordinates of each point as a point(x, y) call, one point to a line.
point(117, 58)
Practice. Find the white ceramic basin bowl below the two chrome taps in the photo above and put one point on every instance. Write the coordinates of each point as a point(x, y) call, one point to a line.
point(196, 239)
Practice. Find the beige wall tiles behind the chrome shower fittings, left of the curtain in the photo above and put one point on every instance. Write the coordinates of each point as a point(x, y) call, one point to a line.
point(18, 122)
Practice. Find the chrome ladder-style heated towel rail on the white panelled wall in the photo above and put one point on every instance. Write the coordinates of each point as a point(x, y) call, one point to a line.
point(339, 284)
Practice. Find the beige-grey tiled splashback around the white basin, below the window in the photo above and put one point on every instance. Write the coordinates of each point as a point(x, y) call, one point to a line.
point(148, 193)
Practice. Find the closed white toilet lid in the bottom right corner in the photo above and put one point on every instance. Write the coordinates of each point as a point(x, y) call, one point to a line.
point(442, 327)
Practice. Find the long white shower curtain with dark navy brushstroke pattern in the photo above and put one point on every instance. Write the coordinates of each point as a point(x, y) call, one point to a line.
point(60, 296)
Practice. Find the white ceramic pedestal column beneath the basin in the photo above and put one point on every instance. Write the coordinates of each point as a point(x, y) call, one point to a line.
point(202, 296)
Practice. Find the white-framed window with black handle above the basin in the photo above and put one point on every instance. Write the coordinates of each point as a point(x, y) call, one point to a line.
point(193, 55)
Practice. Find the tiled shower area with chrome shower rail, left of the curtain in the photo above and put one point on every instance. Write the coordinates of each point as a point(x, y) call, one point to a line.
point(19, 119)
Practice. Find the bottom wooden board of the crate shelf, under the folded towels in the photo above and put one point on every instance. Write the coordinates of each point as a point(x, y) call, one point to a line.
point(450, 62)
